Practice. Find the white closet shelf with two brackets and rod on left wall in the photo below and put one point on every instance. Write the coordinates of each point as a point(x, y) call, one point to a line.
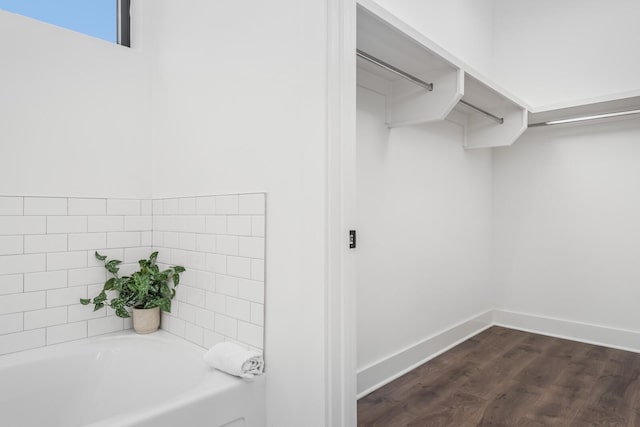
point(423, 83)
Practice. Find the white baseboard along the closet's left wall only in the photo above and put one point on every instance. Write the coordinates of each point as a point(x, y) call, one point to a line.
point(398, 364)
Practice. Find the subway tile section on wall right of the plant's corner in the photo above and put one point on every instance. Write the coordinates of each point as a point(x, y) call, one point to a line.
point(220, 240)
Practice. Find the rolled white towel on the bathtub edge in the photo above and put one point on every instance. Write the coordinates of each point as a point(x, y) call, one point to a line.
point(234, 360)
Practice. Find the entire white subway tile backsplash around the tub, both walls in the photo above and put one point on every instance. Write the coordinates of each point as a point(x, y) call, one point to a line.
point(47, 264)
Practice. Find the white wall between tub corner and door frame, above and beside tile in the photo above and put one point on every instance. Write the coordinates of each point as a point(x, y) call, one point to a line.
point(239, 106)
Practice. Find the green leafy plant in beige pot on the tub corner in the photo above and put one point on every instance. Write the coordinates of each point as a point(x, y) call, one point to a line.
point(147, 291)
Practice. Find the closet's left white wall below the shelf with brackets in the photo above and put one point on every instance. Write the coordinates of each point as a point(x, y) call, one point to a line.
point(424, 224)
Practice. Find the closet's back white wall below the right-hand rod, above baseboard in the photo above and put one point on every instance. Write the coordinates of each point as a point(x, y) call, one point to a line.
point(566, 209)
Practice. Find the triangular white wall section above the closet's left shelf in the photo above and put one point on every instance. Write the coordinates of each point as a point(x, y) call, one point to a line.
point(463, 27)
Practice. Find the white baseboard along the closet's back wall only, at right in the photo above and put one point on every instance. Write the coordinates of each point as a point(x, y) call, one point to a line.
point(568, 329)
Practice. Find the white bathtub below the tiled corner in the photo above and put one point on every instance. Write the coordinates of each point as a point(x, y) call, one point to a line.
point(124, 379)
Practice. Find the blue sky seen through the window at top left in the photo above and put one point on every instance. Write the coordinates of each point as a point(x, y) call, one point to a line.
point(96, 18)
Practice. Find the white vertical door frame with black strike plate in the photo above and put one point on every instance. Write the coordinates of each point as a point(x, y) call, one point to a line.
point(341, 384)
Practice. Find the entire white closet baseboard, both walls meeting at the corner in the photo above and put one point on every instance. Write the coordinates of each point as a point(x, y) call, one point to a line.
point(380, 373)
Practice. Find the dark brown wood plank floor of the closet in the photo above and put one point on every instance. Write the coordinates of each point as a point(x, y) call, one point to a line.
point(504, 377)
